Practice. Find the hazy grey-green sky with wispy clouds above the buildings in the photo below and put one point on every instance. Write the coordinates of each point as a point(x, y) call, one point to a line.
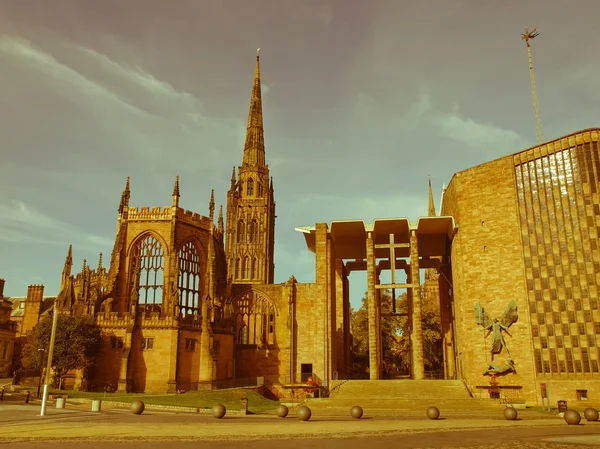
point(362, 101)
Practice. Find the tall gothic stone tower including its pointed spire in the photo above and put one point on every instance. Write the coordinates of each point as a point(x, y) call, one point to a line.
point(250, 234)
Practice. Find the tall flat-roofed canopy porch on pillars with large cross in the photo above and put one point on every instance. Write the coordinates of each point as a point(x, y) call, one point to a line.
point(384, 244)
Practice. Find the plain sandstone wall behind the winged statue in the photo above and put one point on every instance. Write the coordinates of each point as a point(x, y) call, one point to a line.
point(487, 267)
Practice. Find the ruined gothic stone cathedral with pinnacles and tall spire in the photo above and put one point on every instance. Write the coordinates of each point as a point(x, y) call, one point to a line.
point(186, 302)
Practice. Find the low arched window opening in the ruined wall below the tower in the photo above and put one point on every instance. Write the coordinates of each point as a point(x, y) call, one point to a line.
point(255, 320)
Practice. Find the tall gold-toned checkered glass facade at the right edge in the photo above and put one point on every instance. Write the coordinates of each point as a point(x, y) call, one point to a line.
point(559, 210)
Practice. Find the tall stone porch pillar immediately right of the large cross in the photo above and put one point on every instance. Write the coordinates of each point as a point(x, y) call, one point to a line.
point(417, 331)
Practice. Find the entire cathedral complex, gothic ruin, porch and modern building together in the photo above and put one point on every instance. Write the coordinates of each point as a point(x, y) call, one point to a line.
point(513, 262)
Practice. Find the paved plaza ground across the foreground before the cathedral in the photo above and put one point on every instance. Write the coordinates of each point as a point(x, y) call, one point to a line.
point(22, 427)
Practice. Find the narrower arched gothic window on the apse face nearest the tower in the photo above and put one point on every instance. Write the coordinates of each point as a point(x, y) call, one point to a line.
point(189, 280)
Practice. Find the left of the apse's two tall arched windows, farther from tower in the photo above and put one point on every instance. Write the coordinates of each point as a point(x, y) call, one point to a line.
point(148, 274)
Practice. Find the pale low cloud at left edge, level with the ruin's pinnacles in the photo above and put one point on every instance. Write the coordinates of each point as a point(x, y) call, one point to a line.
point(23, 224)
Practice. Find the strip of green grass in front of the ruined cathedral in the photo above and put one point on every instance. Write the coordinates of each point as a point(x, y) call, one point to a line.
point(200, 399)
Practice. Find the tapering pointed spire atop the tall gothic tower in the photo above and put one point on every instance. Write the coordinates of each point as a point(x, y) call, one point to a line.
point(254, 148)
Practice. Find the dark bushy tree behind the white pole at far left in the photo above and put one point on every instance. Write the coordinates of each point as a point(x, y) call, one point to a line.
point(76, 346)
